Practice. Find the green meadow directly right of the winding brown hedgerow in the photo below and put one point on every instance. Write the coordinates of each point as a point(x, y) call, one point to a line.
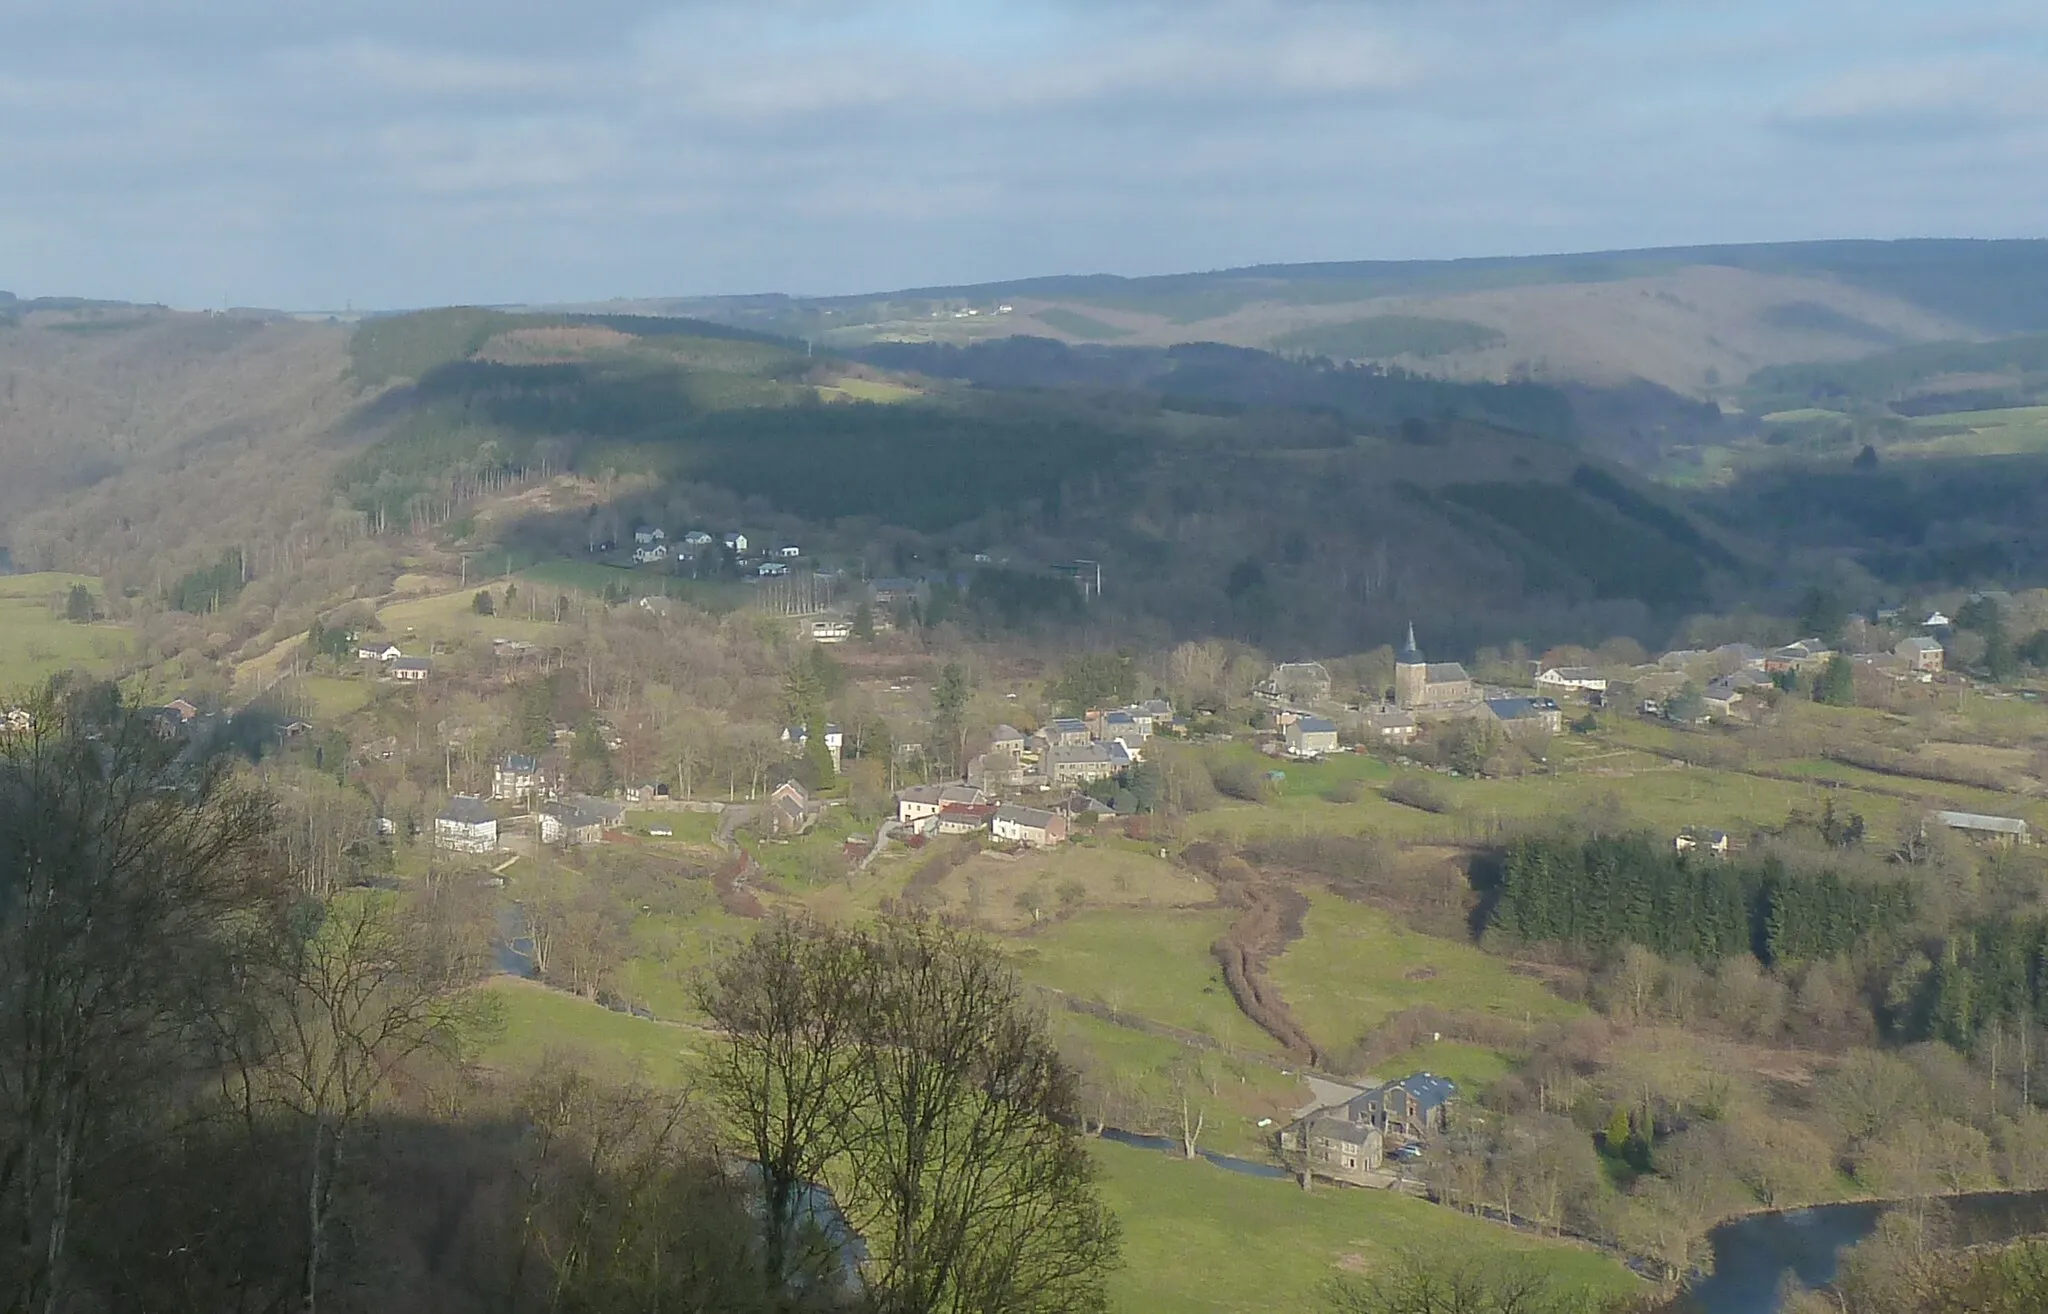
point(1355, 969)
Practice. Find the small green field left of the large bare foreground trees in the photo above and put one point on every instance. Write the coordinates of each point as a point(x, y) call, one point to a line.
point(540, 1024)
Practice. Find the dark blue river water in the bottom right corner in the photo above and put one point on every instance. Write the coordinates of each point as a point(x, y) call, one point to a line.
point(1752, 1256)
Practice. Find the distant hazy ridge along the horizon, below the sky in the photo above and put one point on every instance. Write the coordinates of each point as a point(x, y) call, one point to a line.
point(1697, 320)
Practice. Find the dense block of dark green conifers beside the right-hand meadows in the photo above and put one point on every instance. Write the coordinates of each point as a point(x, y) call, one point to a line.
point(1609, 891)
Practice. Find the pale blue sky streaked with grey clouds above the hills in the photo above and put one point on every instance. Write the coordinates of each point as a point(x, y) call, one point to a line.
point(314, 155)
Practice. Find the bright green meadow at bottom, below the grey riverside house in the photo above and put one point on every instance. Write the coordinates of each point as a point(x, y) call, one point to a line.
point(1205, 1241)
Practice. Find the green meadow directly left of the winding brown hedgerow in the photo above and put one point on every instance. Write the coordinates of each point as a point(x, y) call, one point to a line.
point(1146, 963)
